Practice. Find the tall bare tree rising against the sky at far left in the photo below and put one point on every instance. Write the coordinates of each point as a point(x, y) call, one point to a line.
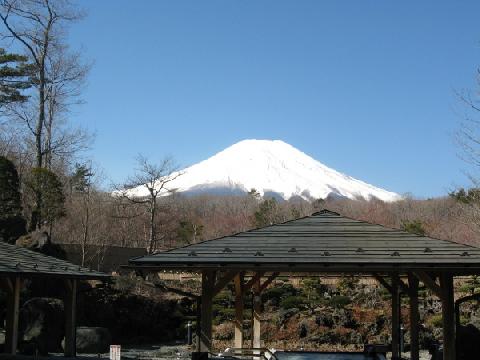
point(39, 26)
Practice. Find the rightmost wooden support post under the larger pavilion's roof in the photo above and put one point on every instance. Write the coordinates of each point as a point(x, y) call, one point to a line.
point(448, 316)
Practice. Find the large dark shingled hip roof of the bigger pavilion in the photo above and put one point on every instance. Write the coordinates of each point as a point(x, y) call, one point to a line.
point(322, 242)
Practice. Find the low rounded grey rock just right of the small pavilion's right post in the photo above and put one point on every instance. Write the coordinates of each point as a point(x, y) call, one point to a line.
point(92, 340)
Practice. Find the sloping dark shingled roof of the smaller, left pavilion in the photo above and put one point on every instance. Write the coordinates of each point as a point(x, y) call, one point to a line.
point(18, 261)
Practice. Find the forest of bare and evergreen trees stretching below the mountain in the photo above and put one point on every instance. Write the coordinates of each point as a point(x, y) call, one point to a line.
point(46, 184)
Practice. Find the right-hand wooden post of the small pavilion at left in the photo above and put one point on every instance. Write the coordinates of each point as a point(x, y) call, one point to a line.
point(70, 305)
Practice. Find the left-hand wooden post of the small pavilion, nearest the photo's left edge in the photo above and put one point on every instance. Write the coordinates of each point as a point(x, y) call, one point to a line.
point(13, 286)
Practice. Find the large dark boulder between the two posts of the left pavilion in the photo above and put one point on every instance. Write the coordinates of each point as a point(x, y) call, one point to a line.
point(42, 324)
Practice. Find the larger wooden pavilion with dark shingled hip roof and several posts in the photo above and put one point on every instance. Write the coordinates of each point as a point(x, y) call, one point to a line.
point(323, 243)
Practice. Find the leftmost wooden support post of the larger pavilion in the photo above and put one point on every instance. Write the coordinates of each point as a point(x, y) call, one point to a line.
point(208, 283)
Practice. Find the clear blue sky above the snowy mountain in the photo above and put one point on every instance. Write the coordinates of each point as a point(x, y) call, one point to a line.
point(366, 87)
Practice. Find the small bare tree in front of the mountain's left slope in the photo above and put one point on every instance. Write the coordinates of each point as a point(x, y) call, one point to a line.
point(149, 182)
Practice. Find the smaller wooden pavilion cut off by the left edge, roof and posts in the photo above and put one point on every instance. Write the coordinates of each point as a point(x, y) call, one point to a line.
point(18, 264)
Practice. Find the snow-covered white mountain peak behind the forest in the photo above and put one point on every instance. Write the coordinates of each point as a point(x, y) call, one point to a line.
point(270, 167)
